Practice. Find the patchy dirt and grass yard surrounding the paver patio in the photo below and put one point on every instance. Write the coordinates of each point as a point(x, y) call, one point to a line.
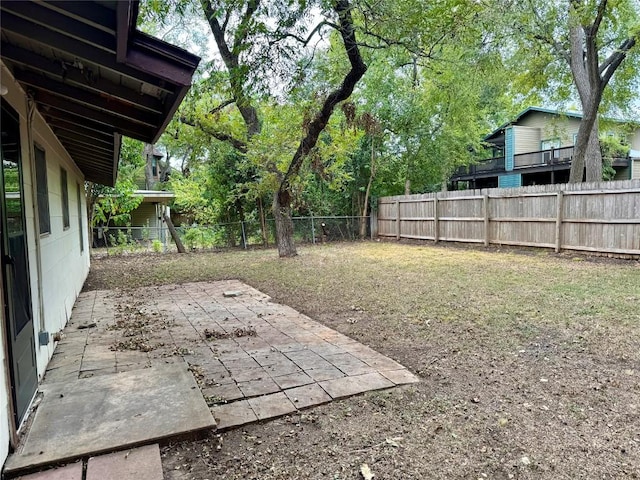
point(530, 363)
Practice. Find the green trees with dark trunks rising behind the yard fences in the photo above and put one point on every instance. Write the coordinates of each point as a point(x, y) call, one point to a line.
point(323, 106)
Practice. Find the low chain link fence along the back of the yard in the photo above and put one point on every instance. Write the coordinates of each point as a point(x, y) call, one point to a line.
point(242, 235)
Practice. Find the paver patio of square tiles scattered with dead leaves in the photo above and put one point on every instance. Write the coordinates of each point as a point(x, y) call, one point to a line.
point(252, 359)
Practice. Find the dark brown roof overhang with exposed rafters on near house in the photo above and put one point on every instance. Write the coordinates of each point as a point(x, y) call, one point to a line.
point(93, 75)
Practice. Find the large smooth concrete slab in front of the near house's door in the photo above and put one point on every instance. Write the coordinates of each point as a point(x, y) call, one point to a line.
point(109, 412)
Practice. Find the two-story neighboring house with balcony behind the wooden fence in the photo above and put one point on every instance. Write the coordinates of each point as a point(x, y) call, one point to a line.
point(537, 148)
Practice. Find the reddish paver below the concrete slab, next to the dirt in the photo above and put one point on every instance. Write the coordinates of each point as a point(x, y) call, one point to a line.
point(142, 463)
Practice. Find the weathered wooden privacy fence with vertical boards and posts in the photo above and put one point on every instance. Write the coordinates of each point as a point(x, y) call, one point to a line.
point(596, 217)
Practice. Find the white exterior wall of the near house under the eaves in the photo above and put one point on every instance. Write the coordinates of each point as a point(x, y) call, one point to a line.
point(58, 265)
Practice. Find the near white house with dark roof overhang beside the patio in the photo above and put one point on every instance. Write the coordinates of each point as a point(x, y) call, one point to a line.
point(75, 76)
